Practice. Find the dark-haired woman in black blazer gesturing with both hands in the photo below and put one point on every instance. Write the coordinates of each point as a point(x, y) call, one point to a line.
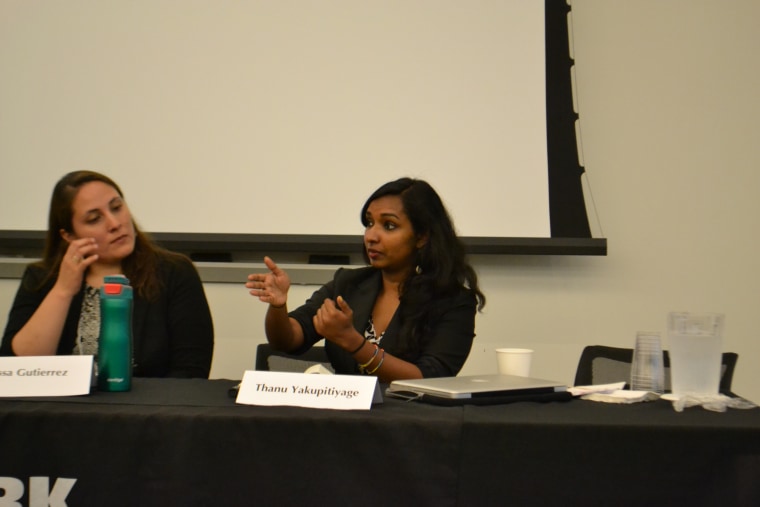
point(409, 314)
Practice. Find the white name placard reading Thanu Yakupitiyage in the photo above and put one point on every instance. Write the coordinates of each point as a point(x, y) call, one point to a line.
point(341, 392)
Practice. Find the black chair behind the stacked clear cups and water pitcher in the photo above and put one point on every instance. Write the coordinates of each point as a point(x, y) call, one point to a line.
point(600, 364)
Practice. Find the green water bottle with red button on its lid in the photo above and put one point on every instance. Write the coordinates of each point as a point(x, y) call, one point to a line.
point(115, 341)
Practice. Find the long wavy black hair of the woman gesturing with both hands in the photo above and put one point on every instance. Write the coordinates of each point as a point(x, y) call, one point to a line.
point(443, 266)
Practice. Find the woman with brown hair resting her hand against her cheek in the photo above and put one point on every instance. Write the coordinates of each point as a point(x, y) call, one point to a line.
point(91, 234)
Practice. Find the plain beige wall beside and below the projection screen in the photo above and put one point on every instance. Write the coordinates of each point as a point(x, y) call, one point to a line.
point(669, 108)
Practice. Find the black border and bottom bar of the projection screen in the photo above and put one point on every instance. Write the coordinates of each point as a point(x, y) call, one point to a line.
point(570, 231)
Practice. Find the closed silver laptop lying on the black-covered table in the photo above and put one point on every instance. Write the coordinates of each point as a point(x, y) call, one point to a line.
point(475, 386)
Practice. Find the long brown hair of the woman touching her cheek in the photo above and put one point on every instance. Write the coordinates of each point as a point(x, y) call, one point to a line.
point(139, 266)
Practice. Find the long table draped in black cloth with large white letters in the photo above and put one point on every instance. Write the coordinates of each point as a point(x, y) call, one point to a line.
point(185, 442)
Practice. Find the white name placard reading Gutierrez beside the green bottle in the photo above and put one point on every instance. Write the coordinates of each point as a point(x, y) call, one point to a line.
point(45, 376)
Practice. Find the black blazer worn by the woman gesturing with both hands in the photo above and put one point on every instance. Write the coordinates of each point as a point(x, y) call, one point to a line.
point(443, 352)
